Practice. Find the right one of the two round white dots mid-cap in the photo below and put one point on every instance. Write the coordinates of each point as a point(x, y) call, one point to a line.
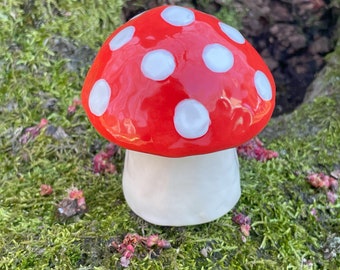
point(217, 58)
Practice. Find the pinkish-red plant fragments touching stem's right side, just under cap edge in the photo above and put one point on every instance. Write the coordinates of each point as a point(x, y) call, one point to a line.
point(254, 149)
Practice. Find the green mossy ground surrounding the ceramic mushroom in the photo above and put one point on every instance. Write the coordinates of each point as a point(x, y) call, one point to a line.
point(38, 81)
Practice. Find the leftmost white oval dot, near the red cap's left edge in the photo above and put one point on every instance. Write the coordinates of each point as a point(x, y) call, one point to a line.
point(99, 97)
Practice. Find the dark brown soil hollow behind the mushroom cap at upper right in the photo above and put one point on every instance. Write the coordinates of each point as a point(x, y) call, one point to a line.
point(293, 36)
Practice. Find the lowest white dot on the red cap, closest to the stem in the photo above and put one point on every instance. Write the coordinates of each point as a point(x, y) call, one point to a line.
point(191, 119)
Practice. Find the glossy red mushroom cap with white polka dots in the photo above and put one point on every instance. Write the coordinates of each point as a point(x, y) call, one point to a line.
point(176, 82)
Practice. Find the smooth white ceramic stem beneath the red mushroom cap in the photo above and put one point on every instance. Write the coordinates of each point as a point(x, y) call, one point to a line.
point(181, 191)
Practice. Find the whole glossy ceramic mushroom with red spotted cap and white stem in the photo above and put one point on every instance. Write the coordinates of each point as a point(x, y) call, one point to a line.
point(179, 89)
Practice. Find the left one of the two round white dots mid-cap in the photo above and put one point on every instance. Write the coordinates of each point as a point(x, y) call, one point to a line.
point(158, 65)
